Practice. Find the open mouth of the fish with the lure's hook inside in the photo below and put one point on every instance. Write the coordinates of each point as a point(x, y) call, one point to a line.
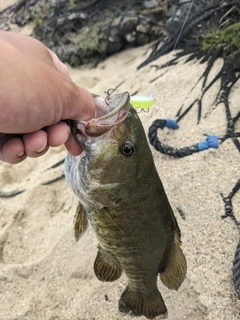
point(113, 110)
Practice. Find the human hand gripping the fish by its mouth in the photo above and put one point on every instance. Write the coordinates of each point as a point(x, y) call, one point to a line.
point(36, 95)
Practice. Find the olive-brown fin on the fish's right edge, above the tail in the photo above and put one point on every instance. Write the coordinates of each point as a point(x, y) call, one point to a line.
point(176, 266)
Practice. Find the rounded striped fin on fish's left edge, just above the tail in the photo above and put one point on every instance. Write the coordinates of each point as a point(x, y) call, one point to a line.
point(105, 267)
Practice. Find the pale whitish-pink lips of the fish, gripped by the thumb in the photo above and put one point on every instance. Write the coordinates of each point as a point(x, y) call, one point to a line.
point(97, 126)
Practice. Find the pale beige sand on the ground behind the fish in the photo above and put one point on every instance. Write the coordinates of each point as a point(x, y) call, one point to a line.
point(45, 274)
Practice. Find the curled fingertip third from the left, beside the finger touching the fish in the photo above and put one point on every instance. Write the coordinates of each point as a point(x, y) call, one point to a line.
point(58, 134)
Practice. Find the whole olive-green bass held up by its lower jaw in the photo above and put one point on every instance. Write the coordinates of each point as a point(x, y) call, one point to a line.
point(120, 193)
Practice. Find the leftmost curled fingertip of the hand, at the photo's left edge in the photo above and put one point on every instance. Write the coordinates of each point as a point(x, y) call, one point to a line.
point(13, 151)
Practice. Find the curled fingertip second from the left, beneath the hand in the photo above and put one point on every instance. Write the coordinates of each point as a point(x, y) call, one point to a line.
point(35, 143)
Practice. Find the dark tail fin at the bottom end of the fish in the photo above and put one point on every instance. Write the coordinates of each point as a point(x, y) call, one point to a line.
point(136, 305)
